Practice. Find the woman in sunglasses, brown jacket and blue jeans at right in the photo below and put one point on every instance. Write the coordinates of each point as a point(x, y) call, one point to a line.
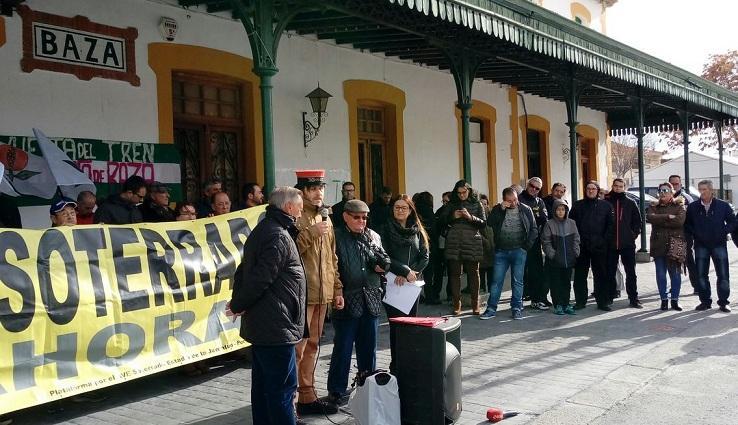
point(667, 235)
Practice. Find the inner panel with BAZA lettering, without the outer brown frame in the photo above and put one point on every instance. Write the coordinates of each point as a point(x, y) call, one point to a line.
point(78, 47)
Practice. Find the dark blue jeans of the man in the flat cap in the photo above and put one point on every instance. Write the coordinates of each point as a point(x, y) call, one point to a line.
point(362, 332)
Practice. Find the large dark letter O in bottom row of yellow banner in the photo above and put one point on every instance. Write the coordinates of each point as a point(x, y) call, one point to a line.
point(97, 352)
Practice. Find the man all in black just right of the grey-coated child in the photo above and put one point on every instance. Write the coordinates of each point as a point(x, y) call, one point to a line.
point(595, 223)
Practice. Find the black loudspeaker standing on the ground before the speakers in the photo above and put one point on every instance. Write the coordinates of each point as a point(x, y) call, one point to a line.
point(427, 364)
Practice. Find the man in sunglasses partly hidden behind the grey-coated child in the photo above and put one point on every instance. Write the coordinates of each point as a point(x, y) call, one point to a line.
point(535, 283)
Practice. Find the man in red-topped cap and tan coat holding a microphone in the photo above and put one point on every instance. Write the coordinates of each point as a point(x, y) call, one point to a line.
point(317, 246)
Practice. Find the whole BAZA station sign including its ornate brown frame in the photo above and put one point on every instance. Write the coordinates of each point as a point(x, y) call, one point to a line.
point(77, 46)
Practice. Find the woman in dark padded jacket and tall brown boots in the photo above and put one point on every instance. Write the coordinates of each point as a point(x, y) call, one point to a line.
point(465, 220)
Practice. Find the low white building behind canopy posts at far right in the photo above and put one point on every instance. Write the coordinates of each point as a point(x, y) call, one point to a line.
point(702, 166)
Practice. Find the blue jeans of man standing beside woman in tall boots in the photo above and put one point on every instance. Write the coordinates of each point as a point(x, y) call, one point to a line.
point(514, 259)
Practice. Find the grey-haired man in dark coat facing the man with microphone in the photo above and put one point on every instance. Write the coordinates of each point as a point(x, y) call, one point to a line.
point(270, 291)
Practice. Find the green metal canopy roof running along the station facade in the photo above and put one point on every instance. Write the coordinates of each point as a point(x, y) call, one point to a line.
point(517, 43)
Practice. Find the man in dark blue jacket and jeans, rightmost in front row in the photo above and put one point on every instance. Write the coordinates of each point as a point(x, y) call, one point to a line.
point(709, 221)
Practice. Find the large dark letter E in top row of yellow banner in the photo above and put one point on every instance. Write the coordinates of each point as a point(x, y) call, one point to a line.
point(126, 266)
